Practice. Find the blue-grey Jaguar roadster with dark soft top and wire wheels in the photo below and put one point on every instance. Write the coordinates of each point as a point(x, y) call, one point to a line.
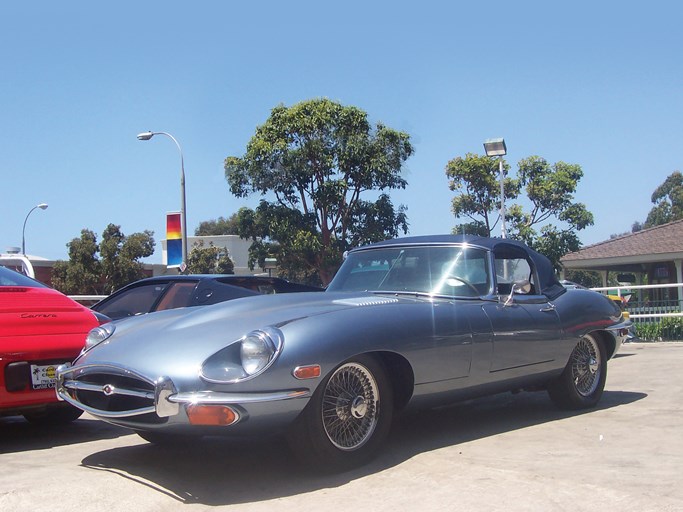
point(413, 322)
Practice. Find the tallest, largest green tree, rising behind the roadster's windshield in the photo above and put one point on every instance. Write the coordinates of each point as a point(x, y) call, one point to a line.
point(318, 159)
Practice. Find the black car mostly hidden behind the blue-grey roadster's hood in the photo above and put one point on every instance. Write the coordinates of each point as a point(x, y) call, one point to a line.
point(179, 291)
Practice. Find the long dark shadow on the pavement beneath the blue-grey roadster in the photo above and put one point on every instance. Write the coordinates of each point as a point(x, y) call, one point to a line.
point(216, 471)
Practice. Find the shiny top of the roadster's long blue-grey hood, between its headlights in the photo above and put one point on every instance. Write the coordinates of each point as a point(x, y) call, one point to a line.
point(179, 341)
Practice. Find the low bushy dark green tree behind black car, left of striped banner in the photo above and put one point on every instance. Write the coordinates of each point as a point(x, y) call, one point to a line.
point(99, 269)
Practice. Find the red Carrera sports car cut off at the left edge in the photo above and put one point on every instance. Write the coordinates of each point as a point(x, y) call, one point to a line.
point(40, 328)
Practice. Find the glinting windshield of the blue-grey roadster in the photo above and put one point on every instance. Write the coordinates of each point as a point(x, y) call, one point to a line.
point(453, 271)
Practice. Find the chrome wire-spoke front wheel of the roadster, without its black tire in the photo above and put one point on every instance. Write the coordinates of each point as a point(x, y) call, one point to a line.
point(350, 406)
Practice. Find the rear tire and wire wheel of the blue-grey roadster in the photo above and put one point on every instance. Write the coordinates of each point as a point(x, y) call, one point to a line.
point(583, 380)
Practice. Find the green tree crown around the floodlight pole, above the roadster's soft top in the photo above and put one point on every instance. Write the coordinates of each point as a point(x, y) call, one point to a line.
point(551, 222)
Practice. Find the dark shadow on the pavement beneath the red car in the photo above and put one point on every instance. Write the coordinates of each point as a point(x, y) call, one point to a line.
point(18, 435)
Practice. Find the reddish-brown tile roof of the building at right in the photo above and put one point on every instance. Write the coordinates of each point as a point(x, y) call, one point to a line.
point(667, 238)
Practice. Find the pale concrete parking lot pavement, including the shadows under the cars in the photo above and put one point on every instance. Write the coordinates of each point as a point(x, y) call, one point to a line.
point(510, 452)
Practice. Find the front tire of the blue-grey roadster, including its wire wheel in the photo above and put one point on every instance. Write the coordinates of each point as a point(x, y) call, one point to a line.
point(347, 419)
